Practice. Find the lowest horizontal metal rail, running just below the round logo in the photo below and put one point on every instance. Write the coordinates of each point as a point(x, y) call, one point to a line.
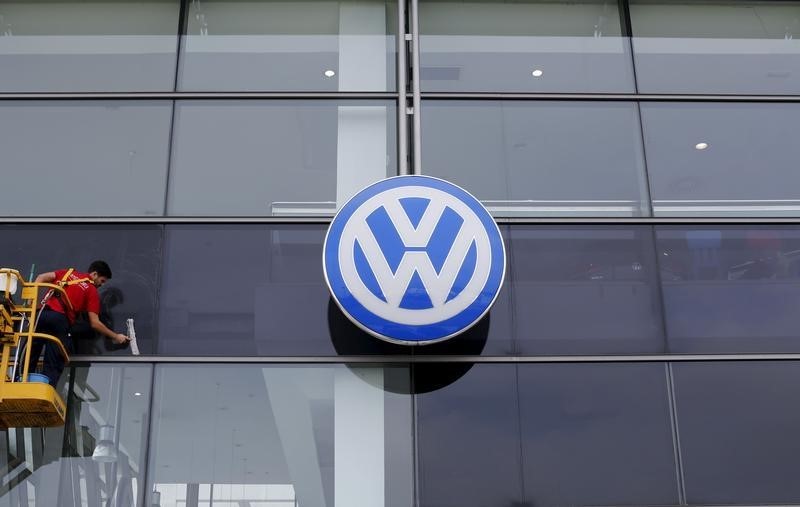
point(404, 359)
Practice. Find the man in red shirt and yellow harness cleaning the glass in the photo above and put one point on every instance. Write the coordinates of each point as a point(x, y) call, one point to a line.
point(56, 317)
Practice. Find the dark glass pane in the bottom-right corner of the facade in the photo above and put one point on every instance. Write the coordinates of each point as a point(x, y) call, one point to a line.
point(738, 425)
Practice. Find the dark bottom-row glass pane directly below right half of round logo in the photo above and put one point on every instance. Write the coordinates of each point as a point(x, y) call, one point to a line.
point(468, 440)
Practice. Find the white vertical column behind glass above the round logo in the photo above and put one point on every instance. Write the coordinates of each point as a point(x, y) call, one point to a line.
point(362, 142)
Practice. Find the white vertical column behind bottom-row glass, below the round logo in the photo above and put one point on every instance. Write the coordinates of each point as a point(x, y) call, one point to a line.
point(359, 438)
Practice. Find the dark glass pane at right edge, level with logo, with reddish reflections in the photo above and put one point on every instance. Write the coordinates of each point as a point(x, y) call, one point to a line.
point(731, 289)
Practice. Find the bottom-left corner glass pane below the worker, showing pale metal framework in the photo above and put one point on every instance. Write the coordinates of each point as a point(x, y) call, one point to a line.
point(98, 457)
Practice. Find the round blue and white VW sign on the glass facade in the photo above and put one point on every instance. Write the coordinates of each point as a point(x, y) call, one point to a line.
point(414, 260)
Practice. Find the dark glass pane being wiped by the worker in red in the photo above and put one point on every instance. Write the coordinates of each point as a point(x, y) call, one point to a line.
point(134, 255)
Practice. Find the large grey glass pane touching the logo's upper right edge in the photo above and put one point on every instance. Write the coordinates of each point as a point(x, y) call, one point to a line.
point(538, 158)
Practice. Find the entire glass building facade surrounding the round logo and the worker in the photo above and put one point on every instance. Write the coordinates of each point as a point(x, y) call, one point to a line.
point(649, 210)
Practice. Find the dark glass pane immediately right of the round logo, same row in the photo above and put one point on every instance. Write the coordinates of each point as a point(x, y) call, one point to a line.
point(585, 290)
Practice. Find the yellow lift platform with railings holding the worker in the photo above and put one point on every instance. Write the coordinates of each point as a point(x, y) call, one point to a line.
point(24, 403)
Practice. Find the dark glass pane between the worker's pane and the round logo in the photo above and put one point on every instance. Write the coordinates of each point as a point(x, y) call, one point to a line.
point(240, 290)
